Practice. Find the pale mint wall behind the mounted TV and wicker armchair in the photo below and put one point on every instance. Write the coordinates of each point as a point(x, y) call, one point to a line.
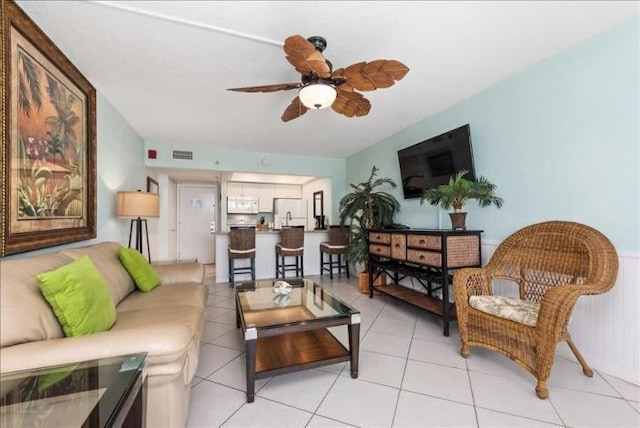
point(561, 141)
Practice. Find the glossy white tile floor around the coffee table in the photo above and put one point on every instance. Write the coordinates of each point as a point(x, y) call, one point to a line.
point(410, 376)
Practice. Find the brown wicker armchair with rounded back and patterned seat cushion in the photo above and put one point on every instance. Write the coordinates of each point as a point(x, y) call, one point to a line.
point(553, 263)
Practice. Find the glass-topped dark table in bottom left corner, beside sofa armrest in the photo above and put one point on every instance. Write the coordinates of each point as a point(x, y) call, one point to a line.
point(99, 393)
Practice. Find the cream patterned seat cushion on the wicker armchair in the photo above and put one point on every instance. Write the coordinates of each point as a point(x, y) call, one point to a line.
point(517, 310)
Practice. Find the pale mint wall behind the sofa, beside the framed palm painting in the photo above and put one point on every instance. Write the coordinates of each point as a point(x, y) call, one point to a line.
point(120, 152)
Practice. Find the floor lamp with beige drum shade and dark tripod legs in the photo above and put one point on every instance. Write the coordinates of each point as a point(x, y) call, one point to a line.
point(139, 206)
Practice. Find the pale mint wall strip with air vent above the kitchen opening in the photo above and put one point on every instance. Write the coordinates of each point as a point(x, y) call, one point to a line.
point(212, 158)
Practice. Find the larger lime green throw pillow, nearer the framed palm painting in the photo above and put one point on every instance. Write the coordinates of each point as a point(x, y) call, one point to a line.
point(79, 296)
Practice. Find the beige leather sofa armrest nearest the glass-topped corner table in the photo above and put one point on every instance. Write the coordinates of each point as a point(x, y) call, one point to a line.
point(170, 350)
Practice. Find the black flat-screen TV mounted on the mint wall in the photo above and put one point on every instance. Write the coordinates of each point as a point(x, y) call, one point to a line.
point(432, 162)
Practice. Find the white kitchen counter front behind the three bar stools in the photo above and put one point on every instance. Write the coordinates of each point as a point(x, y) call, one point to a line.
point(266, 241)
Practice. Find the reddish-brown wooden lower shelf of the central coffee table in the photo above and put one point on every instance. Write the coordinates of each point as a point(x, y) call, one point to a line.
point(291, 352)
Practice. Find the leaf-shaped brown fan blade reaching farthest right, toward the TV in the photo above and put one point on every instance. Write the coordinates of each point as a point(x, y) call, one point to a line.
point(369, 76)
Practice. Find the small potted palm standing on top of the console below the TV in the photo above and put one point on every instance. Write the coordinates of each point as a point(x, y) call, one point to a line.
point(459, 190)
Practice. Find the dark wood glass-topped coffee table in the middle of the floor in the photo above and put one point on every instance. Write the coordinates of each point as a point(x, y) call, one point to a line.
point(287, 333)
